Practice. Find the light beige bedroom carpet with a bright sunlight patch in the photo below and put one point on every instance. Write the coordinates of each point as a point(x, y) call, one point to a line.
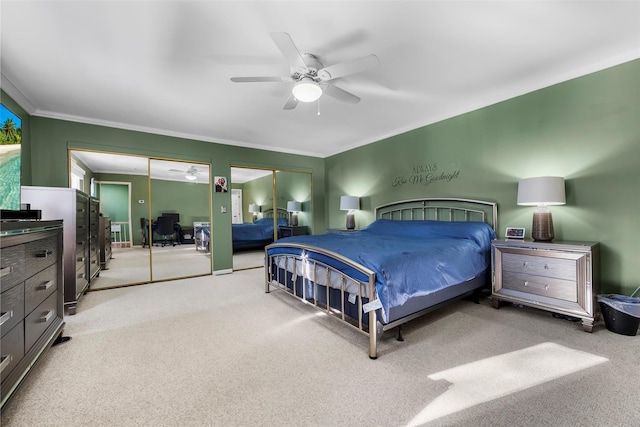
point(218, 351)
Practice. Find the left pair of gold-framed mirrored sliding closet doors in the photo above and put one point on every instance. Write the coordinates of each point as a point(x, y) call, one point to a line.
point(137, 194)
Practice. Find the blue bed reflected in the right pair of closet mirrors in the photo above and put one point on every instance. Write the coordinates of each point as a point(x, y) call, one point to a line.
point(259, 233)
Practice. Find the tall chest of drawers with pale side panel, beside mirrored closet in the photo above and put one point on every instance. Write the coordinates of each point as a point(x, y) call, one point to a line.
point(81, 229)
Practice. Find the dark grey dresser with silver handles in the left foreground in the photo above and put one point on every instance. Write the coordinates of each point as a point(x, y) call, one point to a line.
point(31, 302)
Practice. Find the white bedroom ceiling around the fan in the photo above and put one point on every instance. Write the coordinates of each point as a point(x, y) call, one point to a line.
point(165, 66)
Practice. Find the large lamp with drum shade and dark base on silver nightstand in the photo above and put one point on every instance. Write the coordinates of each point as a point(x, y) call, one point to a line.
point(542, 192)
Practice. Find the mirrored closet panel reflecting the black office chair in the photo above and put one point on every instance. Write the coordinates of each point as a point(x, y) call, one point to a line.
point(180, 200)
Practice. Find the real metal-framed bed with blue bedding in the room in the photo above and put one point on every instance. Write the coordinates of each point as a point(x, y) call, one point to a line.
point(415, 257)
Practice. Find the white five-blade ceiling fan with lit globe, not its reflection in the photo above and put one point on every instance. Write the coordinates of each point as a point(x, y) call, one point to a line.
point(310, 77)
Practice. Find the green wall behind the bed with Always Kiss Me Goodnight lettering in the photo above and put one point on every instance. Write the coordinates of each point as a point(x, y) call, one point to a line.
point(586, 130)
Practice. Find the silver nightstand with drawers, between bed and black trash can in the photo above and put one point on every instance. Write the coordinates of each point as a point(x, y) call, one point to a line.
point(560, 277)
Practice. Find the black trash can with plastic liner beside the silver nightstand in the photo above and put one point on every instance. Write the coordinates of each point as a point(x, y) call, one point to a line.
point(621, 313)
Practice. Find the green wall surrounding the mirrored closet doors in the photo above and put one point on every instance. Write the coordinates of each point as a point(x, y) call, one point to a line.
point(51, 138)
